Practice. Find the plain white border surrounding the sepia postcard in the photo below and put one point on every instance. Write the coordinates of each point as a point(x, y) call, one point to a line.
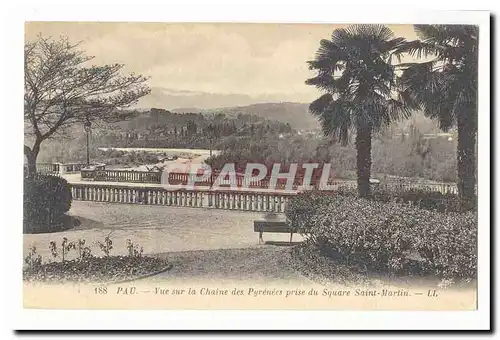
point(183, 11)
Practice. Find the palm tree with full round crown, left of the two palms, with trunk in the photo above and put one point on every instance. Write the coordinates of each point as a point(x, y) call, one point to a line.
point(355, 71)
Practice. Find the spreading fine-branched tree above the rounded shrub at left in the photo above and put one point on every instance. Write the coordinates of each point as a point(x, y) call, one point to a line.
point(61, 89)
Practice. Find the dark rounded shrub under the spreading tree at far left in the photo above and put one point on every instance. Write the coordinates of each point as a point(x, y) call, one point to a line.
point(46, 199)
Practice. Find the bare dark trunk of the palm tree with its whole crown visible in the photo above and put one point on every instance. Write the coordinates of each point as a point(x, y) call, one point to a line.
point(364, 159)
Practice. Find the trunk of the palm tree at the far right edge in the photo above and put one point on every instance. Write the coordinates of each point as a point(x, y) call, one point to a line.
point(466, 161)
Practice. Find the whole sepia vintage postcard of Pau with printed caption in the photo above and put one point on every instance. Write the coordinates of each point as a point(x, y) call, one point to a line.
point(252, 166)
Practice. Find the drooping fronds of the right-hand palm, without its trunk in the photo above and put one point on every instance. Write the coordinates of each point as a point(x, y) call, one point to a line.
point(447, 84)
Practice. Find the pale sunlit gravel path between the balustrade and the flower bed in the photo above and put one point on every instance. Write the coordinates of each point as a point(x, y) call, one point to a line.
point(158, 229)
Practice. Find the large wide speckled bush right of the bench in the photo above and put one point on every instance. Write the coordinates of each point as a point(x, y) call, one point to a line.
point(386, 235)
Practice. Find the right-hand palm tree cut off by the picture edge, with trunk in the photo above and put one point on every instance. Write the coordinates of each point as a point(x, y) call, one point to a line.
point(445, 87)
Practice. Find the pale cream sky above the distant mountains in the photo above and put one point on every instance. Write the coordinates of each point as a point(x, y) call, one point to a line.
point(262, 61)
